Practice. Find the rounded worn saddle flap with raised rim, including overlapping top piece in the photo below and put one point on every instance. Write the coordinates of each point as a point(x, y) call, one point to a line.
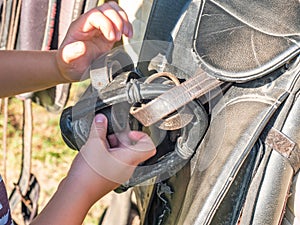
point(234, 43)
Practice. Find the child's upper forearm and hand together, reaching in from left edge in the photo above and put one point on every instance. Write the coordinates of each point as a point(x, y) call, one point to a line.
point(88, 37)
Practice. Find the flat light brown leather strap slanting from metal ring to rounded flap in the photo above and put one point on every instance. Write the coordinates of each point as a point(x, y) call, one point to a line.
point(175, 98)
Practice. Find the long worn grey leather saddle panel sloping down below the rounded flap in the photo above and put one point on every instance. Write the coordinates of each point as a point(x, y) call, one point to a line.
point(217, 170)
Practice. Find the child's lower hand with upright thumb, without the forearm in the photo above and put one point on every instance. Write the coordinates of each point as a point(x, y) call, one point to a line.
point(117, 158)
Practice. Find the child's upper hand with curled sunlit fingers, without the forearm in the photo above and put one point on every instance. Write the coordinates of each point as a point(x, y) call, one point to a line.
point(89, 36)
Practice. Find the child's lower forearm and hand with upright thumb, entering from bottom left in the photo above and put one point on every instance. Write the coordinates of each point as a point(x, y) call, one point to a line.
point(96, 170)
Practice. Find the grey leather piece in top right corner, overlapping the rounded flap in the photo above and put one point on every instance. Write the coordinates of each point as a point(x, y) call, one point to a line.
point(277, 18)
